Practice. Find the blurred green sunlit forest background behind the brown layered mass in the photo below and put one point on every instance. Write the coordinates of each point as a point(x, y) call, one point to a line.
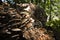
point(52, 9)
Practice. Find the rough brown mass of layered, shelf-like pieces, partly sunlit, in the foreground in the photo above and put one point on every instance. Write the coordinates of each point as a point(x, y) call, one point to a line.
point(22, 23)
